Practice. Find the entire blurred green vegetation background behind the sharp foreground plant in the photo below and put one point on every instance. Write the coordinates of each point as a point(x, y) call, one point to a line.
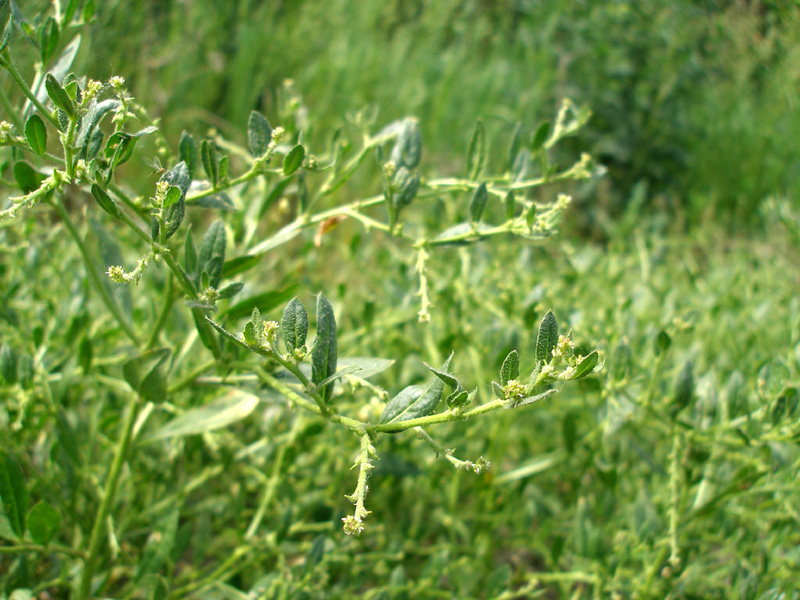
point(696, 117)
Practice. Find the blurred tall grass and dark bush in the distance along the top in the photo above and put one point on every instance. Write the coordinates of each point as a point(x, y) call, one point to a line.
point(697, 101)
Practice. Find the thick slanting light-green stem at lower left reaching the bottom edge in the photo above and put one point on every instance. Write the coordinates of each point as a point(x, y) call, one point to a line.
point(109, 492)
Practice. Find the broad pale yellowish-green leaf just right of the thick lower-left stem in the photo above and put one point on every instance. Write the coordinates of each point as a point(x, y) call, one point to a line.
point(230, 408)
